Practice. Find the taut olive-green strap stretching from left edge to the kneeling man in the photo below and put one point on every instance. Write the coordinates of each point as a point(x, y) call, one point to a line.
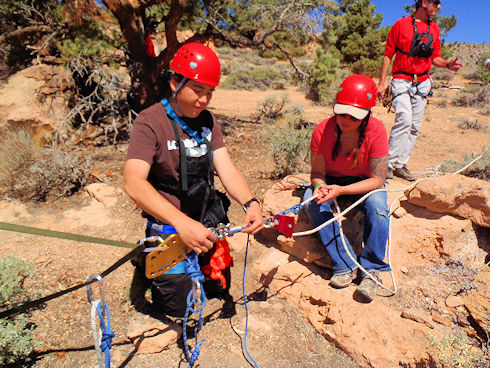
point(62, 235)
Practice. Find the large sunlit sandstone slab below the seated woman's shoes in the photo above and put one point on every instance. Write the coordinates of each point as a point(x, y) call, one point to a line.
point(373, 334)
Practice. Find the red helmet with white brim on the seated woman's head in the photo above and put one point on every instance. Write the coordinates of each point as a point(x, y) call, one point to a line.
point(356, 95)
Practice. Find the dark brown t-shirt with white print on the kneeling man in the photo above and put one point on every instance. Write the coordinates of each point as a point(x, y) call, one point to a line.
point(153, 141)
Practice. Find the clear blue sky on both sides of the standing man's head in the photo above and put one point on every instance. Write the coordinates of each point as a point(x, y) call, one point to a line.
point(473, 17)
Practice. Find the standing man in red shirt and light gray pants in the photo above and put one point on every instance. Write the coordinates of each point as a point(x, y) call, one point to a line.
point(414, 41)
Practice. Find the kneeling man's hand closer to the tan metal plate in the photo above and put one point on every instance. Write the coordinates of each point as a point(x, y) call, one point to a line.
point(195, 236)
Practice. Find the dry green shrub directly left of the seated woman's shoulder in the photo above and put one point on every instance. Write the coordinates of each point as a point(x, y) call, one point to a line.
point(289, 147)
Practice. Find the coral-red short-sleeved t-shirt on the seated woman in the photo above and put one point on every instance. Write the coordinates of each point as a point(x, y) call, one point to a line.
point(375, 145)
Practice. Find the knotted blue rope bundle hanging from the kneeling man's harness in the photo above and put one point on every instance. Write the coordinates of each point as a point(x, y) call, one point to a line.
point(193, 270)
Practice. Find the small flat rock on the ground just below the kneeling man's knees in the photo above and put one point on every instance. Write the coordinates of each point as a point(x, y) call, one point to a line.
point(153, 336)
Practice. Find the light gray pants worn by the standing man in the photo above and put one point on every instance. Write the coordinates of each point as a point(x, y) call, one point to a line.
point(409, 106)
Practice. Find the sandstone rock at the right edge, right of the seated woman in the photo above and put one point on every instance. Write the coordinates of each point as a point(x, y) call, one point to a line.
point(455, 194)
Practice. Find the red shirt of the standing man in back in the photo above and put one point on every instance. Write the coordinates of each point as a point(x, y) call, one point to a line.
point(401, 36)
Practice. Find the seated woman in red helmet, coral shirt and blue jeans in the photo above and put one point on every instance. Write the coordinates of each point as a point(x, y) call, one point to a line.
point(349, 157)
